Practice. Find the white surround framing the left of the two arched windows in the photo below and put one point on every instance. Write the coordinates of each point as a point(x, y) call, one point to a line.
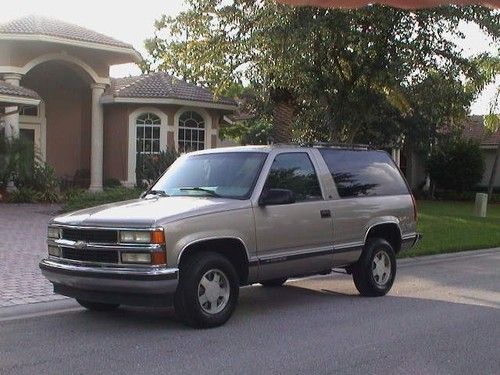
point(132, 141)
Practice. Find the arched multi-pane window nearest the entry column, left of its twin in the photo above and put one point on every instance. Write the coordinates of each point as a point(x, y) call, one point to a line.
point(148, 134)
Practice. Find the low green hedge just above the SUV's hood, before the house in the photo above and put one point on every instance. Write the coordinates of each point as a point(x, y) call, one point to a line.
point(79, 199)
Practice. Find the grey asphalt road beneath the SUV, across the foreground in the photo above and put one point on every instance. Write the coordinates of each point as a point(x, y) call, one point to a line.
point(442, 317)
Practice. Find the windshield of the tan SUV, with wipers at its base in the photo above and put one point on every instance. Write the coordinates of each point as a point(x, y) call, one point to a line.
point(226, 175)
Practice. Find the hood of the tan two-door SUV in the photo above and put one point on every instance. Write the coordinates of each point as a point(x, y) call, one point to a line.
point(144, 213)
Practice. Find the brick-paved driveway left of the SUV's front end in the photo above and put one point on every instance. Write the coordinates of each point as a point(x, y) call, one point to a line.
point(23, 232)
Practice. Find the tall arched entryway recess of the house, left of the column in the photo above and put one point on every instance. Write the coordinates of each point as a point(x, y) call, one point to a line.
point(62, 124)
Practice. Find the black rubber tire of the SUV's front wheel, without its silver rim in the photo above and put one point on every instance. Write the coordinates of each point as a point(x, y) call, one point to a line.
point(186, 301)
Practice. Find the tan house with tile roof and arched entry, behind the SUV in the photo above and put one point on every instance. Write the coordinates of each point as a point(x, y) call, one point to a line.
point(87, 120)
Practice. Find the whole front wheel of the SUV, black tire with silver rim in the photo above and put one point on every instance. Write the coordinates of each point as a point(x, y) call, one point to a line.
point(208, 290)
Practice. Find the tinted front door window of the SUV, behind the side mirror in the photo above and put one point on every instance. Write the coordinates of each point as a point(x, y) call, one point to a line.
point(294, 171)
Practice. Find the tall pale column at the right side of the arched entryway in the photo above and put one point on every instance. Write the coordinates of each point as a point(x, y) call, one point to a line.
point(97, 138)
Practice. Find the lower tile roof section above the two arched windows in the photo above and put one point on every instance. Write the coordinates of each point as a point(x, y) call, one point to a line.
point(161, 85)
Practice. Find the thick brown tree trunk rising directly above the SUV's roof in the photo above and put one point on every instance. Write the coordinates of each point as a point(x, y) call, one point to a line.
point(283, 116)
